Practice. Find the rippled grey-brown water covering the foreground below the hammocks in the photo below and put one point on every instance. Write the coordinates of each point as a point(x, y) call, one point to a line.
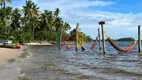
point(48, 63)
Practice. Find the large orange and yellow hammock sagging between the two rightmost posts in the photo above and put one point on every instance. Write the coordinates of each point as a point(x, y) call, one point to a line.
point(118, 48)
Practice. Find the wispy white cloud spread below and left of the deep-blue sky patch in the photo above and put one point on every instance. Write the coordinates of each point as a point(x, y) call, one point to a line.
point(77, 11)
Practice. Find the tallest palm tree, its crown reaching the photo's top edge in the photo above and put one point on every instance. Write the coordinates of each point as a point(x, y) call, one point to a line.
point(31, 15)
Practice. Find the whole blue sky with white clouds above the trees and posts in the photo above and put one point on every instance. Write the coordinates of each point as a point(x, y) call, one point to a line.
point(121, 16)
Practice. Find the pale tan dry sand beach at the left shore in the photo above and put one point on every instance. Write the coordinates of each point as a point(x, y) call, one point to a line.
point(6, 53)
